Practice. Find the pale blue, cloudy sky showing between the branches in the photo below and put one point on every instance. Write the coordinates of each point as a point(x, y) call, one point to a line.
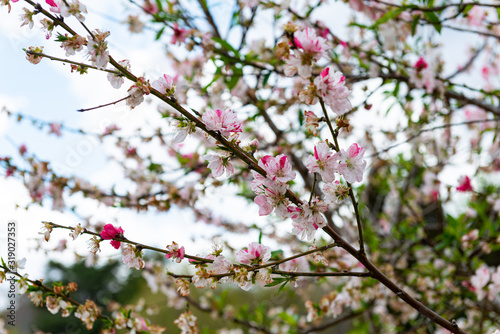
point(48, 91)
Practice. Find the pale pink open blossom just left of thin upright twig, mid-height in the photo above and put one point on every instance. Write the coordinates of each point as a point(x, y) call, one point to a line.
point(323, 162)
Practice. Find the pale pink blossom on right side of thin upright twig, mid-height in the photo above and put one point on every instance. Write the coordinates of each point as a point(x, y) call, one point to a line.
point(351, 164)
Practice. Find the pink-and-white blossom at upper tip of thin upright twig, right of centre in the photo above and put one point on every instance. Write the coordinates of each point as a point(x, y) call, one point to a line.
point(331, 88)
